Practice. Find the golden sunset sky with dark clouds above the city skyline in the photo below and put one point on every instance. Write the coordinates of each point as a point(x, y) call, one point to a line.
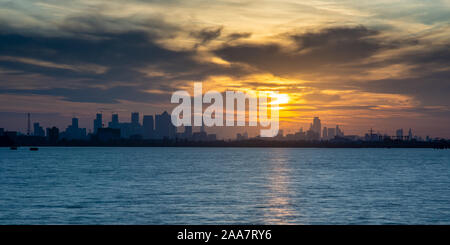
point(360, 64)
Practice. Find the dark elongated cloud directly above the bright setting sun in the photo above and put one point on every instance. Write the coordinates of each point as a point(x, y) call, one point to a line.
point(316, 52)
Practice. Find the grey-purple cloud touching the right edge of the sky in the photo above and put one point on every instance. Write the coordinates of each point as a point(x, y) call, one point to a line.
point(427, 80)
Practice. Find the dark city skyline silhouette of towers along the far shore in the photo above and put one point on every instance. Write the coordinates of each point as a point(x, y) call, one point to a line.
point(160, 126)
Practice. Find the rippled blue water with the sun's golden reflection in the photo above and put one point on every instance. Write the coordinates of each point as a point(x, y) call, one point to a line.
point(58, 185)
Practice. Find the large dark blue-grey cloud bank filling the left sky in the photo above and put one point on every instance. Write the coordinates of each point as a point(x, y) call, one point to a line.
point(93, 55)
